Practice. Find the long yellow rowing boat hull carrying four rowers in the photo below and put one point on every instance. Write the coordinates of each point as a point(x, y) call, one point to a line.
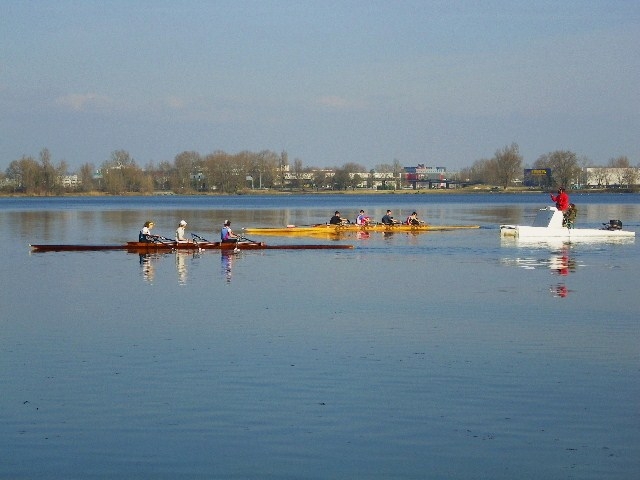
point(327, 229)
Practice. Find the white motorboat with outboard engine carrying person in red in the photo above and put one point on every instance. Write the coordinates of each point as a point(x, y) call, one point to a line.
point(548, 226)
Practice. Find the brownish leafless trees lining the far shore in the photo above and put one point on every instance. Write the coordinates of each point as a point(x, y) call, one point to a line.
point(221, 172)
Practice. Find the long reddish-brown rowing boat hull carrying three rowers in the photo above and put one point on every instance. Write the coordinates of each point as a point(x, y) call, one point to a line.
point(143, 247)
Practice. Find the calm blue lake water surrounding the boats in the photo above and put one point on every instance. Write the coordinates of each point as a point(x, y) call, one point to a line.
point(449, 355)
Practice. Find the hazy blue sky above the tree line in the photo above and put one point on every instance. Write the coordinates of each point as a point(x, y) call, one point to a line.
point(440, 83)
